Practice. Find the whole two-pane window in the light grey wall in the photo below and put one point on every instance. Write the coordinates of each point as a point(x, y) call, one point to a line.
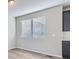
point(35, 27)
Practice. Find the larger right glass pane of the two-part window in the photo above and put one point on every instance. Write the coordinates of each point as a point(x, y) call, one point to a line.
point(39, 27)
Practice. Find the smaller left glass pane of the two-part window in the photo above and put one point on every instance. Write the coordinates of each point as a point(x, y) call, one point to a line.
point(26, 28)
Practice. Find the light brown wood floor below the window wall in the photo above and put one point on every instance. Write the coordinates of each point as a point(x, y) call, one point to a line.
point(22, 54)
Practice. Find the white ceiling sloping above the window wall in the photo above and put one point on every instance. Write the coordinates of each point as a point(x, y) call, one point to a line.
point(22, 7)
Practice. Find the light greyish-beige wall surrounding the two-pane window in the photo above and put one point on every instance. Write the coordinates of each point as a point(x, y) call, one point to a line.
point(52, 44)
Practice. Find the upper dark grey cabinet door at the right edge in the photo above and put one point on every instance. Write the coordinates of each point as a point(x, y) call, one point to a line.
point(66, 21)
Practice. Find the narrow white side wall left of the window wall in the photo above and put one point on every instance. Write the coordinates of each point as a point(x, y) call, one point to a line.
point(11, 32)
